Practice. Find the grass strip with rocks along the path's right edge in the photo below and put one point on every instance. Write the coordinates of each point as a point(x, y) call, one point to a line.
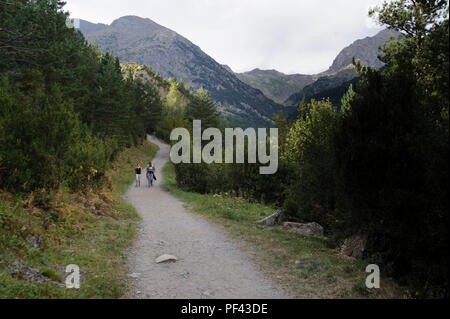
point(304, 267)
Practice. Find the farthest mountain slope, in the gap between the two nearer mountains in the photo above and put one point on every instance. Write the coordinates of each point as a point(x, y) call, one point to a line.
point(276, 85)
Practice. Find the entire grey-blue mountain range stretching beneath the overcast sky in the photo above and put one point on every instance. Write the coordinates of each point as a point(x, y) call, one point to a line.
point(249, 99)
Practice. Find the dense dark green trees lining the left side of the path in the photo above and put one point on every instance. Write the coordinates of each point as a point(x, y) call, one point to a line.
point(65, 109)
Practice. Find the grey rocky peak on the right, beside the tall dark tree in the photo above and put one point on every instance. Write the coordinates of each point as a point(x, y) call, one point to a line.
point(366, 50)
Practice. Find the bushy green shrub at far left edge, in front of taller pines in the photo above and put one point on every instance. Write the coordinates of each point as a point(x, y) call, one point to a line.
point(36, 133)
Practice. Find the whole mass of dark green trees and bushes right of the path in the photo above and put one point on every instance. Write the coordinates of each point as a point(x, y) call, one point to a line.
point(375, 165)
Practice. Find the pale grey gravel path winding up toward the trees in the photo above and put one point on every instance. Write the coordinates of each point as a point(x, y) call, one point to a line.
point(210, 265)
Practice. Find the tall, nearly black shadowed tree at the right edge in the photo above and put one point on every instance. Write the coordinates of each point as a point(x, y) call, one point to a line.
point(393, 148)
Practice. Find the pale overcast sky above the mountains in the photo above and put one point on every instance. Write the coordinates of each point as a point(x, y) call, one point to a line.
point(291, 36)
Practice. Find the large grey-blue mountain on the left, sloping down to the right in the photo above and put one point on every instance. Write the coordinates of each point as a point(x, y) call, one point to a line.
point(143, 41)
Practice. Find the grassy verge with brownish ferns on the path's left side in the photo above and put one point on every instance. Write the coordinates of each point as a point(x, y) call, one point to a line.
point(89, 229)
